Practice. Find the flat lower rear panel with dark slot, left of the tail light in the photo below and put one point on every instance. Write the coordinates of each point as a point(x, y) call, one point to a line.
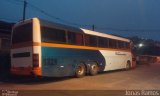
point(21, 60)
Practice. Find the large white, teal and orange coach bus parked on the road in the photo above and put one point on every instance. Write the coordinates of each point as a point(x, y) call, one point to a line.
point(44, 48)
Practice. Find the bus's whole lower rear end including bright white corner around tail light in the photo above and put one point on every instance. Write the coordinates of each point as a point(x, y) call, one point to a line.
point(23, 65)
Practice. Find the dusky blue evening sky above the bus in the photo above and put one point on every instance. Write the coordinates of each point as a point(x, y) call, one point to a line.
point(121, 17)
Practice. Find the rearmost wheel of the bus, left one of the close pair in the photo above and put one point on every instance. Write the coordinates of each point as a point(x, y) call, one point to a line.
point(80, 70)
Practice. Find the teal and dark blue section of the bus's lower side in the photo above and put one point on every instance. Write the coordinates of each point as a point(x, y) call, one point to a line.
point(63, 61)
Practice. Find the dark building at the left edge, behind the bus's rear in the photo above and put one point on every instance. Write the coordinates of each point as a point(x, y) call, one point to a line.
point(5, 41)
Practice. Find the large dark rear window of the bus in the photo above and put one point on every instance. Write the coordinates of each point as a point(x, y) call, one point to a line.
point(22, 33)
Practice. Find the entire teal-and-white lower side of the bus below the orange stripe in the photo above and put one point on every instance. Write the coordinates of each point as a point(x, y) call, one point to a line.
point(58, 62)
